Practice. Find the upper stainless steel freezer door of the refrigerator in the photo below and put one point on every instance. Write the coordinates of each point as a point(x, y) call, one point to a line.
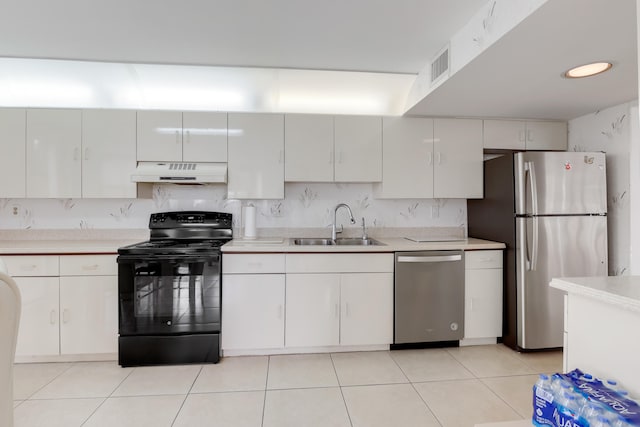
point(560, 183)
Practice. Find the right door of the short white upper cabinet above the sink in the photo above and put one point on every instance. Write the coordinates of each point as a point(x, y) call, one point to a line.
point(358, 149)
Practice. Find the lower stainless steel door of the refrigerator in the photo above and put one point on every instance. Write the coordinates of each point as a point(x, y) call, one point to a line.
point(549, 247)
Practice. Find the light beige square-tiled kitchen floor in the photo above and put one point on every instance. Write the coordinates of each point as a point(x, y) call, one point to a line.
point(453, 387)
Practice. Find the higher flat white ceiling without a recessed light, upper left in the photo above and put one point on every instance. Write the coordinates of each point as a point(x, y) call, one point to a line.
point(396, 36)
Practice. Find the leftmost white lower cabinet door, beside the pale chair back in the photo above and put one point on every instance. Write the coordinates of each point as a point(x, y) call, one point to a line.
point(39, 332)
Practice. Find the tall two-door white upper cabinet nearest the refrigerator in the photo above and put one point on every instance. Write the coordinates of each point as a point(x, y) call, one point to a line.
point(431, 158)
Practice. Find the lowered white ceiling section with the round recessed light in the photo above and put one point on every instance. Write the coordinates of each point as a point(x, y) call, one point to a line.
point(521, 74)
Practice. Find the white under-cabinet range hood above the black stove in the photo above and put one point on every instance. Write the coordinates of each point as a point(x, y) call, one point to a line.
point(180, 172)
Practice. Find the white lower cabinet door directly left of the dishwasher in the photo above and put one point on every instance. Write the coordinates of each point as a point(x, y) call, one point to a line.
point(367, 309)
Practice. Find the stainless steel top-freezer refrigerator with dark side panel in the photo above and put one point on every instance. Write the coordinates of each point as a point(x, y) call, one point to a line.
point(550, 209)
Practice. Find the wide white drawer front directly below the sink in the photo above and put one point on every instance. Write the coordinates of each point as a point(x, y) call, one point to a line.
point(340, 263)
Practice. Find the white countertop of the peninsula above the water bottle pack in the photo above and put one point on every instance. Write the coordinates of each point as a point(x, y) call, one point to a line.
point(623, 291)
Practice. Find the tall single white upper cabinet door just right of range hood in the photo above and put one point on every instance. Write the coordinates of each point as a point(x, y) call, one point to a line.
point(256, 156)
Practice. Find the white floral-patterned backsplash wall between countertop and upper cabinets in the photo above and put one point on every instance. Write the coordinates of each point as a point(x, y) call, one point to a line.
point(304, 206)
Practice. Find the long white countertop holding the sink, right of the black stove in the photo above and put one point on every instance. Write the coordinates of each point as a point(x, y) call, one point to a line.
point(396, 244)
